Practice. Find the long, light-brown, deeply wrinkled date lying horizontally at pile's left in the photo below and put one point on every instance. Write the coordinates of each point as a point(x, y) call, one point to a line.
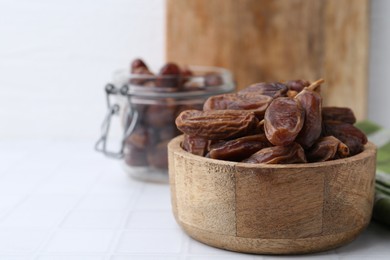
point(216, 124)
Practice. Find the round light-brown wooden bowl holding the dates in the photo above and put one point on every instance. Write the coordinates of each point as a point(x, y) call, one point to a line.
point(272, 209)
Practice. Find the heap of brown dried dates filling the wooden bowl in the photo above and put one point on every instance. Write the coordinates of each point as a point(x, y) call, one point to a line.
point(274, 123)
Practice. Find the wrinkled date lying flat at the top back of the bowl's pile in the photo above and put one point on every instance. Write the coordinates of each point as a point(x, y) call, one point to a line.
point(272, 89)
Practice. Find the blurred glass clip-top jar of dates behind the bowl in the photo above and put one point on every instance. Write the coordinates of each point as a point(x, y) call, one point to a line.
point(148, 106)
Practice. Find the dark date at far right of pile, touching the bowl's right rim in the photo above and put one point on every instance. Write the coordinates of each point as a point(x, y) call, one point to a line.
point(347, 133)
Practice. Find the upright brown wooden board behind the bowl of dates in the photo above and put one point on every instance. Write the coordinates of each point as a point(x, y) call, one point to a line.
point(261, 40)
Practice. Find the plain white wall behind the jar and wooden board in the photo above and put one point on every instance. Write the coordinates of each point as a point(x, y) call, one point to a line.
point(56, 56)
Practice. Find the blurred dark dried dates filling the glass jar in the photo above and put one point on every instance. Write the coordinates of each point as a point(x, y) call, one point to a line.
point(157, 99)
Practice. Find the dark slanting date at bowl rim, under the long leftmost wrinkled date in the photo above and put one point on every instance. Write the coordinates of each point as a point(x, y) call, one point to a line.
point(238, 149)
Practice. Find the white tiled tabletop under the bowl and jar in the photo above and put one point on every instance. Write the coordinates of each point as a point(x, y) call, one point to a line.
point(61, 200)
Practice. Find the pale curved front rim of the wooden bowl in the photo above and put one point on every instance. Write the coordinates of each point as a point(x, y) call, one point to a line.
point(175, 146)
